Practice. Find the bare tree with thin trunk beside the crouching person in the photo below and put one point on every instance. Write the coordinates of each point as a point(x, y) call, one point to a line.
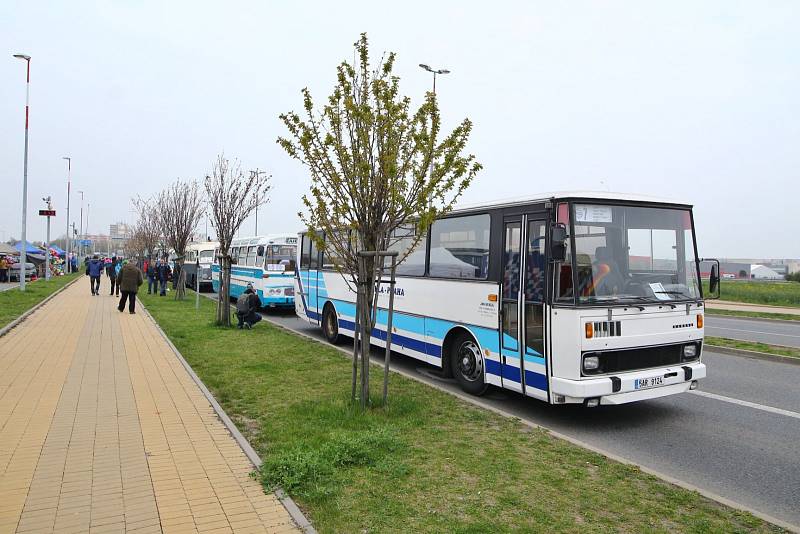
point(232, 197)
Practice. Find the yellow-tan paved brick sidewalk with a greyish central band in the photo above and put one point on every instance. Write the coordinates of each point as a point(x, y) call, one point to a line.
point(103, 430)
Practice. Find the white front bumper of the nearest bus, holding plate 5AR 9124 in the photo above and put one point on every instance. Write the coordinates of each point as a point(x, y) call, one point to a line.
point(677, 379)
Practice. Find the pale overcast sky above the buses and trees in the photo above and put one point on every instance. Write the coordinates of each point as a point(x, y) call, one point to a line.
point(697, 101)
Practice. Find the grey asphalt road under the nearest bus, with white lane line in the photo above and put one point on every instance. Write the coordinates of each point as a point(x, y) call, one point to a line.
point(738, 436)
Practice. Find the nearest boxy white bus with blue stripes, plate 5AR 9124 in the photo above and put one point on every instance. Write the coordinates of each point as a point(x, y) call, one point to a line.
point(590, 298)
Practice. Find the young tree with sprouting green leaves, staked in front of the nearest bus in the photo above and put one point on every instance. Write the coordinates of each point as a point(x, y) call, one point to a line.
point(377, 169)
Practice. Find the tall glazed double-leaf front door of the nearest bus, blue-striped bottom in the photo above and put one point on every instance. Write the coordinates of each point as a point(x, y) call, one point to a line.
point(522, 332)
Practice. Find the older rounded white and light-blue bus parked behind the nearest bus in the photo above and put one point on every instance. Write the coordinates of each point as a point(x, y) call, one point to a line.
point(267, 262)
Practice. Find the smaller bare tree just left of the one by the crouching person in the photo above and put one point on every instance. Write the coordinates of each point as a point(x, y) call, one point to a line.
point(179, 209)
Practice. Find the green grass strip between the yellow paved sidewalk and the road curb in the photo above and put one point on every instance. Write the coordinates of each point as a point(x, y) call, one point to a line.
point(427, 463)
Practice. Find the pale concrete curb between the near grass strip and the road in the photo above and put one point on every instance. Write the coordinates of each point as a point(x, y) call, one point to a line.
point(472, 400)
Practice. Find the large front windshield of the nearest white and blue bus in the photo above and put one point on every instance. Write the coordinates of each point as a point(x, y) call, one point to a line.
point(634, 254)
